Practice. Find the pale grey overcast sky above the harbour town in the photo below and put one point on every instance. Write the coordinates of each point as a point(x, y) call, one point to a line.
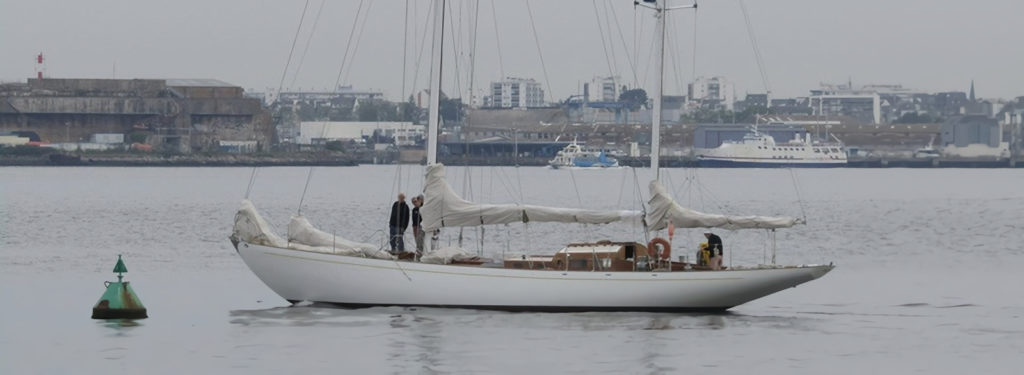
point(930, 46)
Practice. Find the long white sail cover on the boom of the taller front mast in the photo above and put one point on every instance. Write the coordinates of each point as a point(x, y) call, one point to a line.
point(443, 207)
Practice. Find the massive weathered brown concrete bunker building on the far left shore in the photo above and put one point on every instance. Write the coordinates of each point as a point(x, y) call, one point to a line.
point(174, 115)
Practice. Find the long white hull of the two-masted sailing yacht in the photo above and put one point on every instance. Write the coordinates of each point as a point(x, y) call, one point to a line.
point(358, 282)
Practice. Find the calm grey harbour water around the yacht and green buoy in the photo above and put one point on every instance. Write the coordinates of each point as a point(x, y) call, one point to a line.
point(929, 276)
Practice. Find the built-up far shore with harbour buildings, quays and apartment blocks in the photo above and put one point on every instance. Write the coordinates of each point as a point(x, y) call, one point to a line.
point(207, 122)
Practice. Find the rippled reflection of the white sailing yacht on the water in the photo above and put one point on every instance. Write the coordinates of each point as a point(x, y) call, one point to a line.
point(442, 341)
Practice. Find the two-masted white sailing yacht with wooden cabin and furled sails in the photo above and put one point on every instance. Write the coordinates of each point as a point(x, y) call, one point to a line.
point(595, 275)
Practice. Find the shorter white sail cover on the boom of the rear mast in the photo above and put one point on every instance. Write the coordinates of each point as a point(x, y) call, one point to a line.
point(663, 210)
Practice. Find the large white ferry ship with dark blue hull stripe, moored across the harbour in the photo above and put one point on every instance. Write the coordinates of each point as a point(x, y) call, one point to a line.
point(760, 151)
